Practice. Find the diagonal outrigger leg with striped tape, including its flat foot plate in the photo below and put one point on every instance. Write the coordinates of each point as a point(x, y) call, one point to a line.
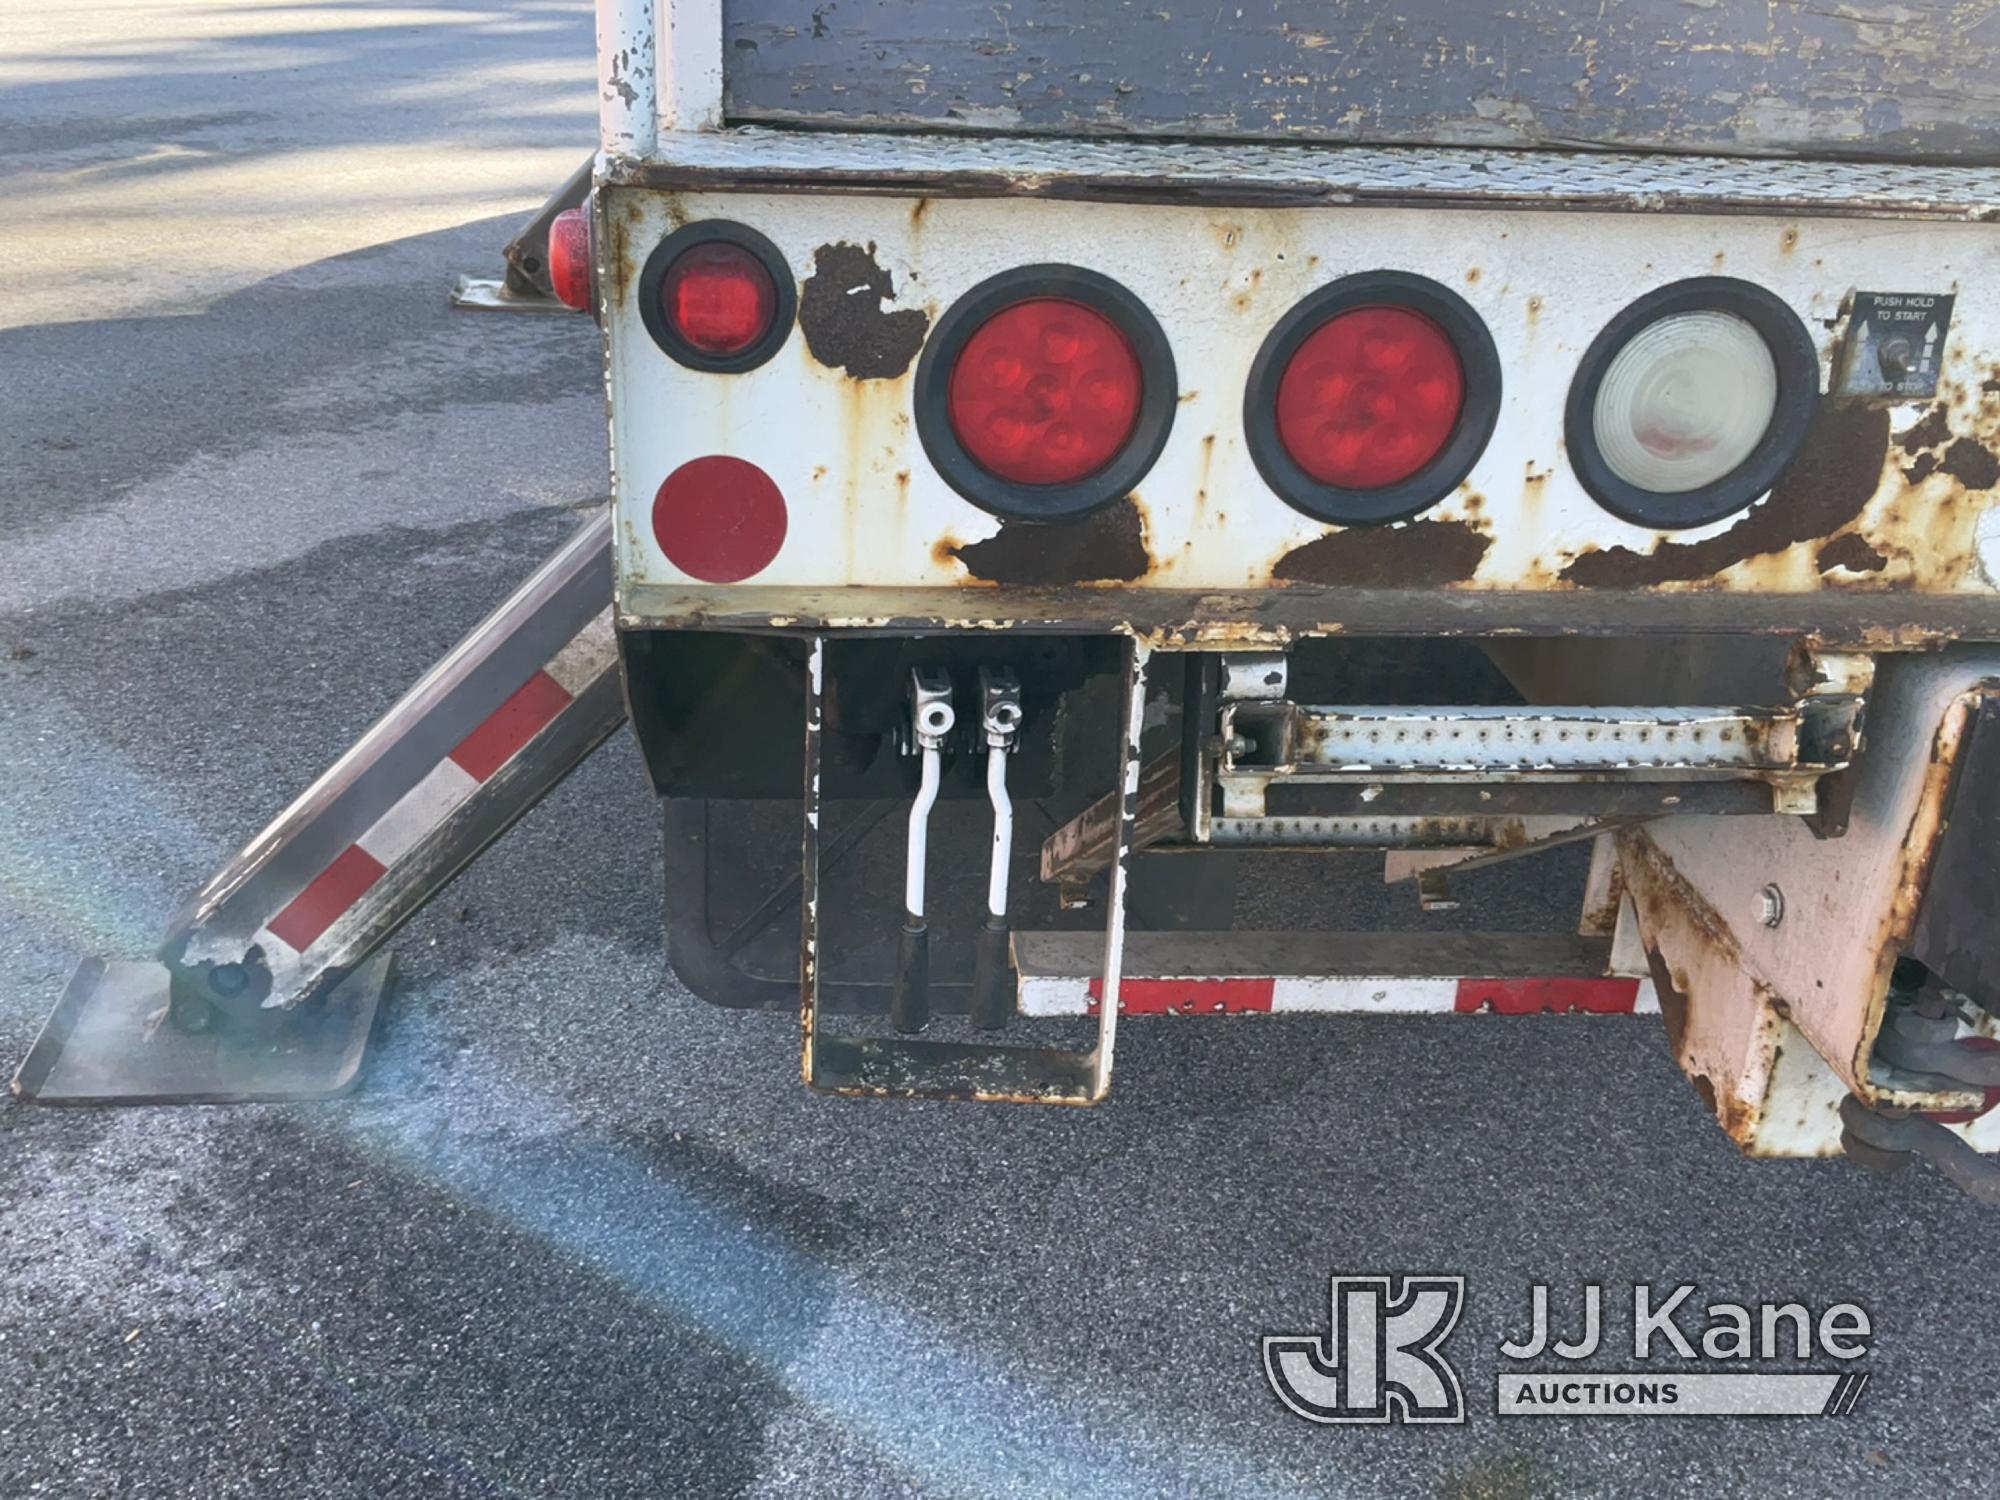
point(263, 985)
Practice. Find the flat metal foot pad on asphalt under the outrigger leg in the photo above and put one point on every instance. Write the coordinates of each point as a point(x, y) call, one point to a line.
point(109, 1041)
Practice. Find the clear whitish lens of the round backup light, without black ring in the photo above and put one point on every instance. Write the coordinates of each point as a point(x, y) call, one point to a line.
point(1685, 403)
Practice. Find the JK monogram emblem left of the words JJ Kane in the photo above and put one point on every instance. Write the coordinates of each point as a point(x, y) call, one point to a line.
point(1379, 1361)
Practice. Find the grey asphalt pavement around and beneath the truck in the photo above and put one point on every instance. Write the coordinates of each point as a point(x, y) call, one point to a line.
point(581, 1235)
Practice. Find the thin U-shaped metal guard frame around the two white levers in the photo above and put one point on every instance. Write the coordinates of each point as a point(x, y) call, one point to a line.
point(903, 1067)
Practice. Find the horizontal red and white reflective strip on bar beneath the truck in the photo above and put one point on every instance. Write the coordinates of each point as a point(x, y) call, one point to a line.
point(1341, 993)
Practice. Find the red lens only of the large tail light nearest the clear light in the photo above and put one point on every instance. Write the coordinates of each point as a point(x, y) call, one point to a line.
point(1371, 397)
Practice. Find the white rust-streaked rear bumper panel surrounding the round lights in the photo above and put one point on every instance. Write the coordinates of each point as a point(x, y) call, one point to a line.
point(1887, 525)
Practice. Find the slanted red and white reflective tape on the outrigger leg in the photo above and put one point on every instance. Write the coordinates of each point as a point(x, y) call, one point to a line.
point(443, 791)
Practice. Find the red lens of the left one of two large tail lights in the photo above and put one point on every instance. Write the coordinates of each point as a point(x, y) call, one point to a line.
point(1045, 393)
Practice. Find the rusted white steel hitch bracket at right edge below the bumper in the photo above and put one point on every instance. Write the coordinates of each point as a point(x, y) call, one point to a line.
point(1777, 953)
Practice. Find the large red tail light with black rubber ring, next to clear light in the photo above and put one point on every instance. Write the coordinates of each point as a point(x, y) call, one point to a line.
point(1373, 399)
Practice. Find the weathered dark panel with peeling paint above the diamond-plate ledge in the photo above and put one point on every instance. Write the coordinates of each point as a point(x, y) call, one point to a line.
point(1885, 81)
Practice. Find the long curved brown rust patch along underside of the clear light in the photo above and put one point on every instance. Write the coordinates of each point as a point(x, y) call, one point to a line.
point(1837, 473)
